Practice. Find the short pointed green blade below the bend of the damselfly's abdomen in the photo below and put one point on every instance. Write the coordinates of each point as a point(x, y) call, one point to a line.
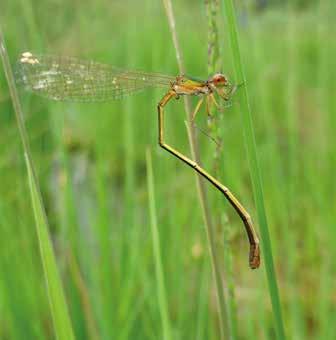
point(157, 250)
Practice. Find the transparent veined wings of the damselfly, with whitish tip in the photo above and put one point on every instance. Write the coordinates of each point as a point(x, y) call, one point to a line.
point(72, 79)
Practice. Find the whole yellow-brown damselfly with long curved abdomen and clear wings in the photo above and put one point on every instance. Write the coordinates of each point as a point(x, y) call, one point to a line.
point(71, 79)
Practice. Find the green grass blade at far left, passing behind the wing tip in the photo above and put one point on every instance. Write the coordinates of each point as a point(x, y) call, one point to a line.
point(59, 310)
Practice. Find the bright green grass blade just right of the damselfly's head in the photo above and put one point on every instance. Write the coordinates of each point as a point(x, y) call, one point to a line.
point(254, 169)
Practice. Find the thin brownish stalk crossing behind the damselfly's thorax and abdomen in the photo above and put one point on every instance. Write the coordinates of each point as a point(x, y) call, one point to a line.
point(200, 182)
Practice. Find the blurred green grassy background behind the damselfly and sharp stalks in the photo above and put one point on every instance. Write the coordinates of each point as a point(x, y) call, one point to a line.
point(91, 164)
